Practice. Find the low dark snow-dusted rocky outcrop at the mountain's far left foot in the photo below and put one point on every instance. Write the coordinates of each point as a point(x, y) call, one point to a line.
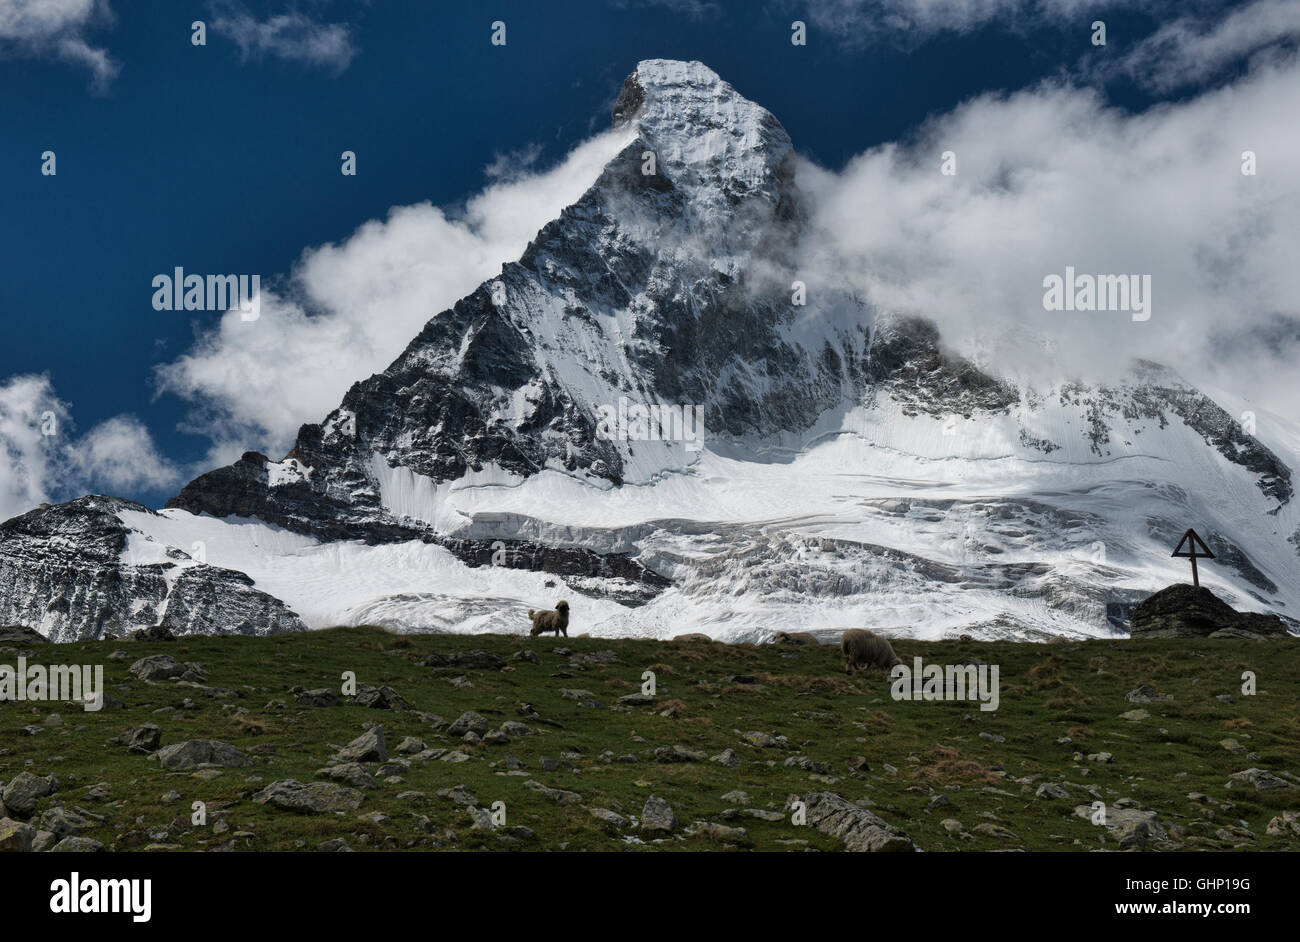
point(76, 572)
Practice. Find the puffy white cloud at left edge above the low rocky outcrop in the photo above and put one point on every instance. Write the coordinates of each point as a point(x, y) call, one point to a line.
point(42, 459)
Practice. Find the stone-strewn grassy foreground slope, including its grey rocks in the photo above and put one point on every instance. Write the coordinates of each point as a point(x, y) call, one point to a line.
point(495, 743)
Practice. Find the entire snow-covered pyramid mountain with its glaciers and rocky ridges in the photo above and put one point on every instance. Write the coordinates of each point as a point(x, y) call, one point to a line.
point(531, 444)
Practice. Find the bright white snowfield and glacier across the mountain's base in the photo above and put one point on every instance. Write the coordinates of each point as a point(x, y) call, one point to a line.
point(896, 523)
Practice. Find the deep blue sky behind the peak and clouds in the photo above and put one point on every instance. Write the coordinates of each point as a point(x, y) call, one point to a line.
point(198, 159)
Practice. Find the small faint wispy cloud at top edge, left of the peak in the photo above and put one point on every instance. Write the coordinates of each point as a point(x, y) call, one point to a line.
point(293, 37)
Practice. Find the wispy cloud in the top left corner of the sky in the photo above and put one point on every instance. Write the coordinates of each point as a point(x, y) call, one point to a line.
point(58, 29)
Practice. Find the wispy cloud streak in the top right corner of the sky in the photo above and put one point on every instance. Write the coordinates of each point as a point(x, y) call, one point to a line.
point(1193, 50)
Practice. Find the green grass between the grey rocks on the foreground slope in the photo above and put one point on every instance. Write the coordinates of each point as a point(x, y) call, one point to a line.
point(1047, 692)
